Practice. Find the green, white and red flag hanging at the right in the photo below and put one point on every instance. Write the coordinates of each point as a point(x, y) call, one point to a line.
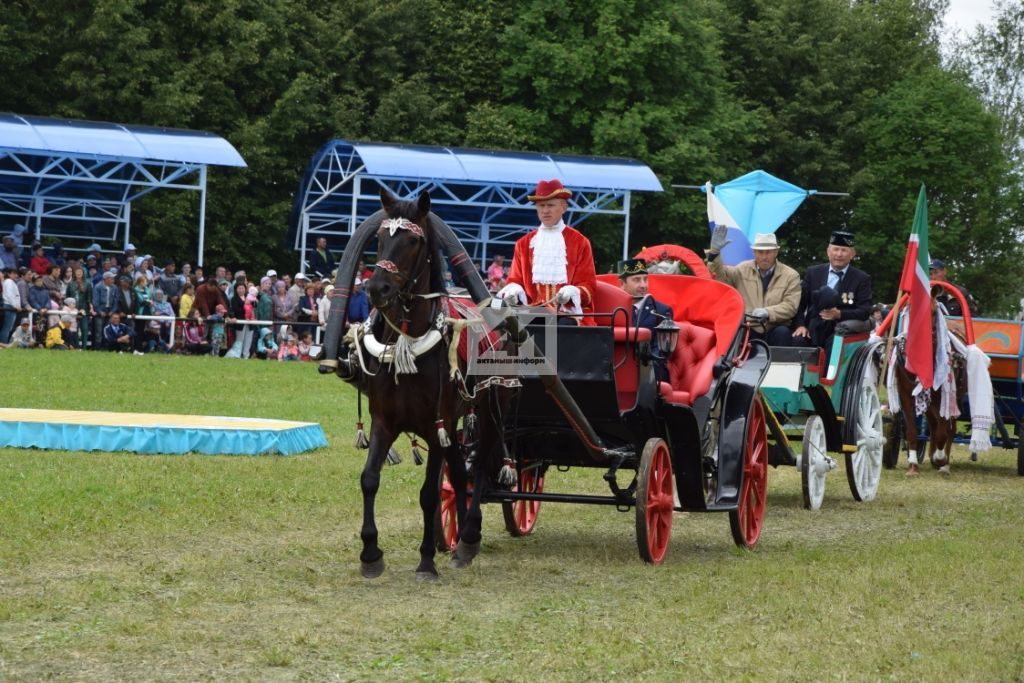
point(915, 282)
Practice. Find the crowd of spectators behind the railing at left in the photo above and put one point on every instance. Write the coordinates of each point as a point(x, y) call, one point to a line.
point(127, 303)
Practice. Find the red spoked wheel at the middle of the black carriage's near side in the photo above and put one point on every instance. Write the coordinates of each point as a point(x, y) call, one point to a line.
point(655, 501)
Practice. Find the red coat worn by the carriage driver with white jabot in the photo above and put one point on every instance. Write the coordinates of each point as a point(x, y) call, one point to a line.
point(579, 271)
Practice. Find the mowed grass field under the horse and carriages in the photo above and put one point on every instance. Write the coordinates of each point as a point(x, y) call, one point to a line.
point(117, 567)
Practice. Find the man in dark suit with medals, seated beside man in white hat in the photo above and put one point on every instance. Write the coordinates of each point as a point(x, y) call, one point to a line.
point(832, 293)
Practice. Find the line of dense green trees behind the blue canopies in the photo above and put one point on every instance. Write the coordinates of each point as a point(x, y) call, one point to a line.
point(837, 96)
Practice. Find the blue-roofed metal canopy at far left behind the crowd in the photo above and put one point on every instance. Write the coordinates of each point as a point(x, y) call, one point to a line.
point(78, 180)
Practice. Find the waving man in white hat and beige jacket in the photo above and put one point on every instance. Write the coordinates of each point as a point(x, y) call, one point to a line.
point(771, 289)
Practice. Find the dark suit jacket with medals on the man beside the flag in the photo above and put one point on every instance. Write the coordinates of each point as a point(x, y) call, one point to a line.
point(854, 301)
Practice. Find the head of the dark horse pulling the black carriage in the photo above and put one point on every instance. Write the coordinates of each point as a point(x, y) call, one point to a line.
point(404, 251)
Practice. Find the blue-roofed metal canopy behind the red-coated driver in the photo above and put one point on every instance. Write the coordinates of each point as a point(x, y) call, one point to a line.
point(482, 195)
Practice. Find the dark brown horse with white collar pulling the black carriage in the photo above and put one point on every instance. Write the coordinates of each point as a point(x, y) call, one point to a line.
point(410, 388)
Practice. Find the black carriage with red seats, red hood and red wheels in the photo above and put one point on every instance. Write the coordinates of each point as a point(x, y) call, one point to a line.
point(697, 443)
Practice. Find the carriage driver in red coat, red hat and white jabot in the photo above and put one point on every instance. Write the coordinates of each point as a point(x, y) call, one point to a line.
point(554, 265)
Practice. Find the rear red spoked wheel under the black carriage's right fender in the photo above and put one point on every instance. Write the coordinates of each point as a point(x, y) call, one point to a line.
point(747, 520)
